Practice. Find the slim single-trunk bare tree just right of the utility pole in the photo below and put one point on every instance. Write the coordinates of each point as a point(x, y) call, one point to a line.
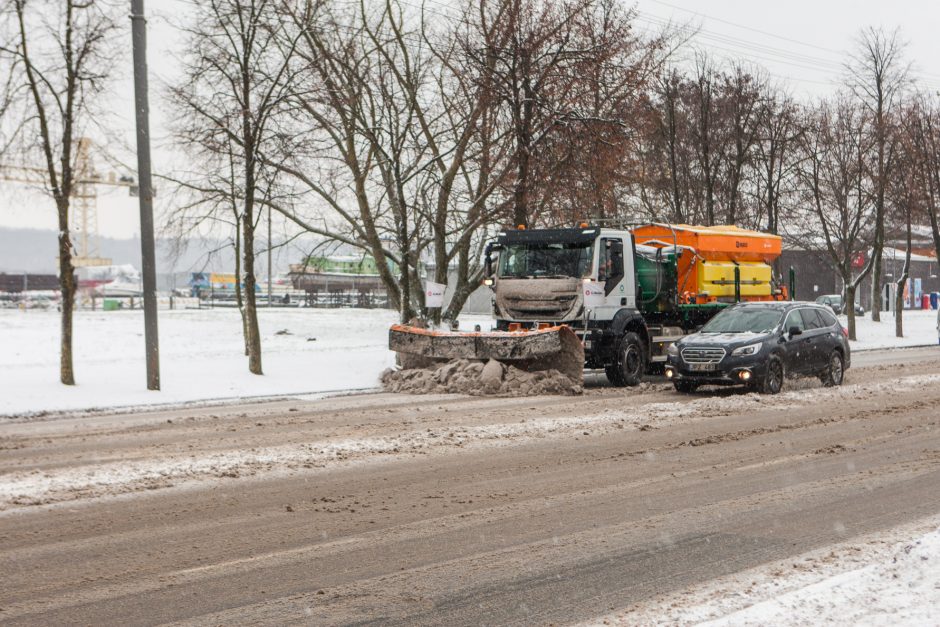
point(235, 83)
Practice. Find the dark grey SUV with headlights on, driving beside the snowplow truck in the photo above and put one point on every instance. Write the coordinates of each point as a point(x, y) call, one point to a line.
point(758, 344)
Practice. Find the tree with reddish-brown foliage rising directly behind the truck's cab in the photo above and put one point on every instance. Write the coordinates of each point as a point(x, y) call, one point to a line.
point(569, 77)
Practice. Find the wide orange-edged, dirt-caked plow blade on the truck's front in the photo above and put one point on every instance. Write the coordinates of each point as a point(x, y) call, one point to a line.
point(555, 348)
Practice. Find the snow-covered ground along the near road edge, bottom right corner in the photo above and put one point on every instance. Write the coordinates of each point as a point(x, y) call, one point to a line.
point(887, 578)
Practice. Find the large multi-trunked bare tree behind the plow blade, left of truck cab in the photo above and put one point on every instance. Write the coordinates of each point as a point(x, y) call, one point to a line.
point(402, 150)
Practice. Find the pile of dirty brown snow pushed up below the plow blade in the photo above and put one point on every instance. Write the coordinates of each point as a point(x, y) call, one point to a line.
point(477, 378)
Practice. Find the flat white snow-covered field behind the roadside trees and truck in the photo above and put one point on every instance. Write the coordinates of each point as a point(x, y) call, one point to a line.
point(305, 351)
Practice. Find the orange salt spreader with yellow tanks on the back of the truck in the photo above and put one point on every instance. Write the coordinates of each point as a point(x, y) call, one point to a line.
point(707, 256)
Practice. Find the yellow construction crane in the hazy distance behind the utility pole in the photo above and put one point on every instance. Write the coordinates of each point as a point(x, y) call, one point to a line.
point(85, 199)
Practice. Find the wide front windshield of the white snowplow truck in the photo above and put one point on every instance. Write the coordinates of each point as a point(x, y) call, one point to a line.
point(545, 260)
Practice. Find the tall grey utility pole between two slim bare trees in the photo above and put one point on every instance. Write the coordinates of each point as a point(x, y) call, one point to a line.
point(149, 267)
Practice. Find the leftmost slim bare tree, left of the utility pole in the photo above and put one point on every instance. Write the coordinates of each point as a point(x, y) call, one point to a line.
point(61, 58)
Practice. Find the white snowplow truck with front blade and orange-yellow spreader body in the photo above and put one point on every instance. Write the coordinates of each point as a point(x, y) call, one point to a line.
point(651, 285)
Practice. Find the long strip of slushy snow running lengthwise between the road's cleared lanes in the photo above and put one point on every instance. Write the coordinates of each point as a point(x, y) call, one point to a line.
point(25, 488)
